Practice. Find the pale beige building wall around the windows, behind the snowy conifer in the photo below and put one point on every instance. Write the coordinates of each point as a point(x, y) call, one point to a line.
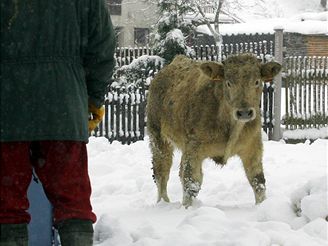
point(135, 14)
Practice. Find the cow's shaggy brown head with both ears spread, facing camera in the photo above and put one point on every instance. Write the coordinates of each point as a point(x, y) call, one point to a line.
point(241, 77)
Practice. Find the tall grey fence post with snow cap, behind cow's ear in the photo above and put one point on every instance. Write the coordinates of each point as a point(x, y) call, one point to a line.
point(278, 54)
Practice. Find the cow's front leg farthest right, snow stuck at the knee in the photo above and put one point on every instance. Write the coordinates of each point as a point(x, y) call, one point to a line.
point(254, 171)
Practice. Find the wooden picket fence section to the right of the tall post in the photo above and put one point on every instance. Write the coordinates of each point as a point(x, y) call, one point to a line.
point(306, 80)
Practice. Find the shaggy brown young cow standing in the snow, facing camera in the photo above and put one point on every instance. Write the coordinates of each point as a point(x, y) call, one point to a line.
point(207, 109)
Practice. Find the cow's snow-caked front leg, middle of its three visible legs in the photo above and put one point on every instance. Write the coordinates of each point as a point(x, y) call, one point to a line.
point(191, 176)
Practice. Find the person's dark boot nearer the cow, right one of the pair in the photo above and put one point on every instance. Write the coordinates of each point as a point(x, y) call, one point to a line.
point(75, 232)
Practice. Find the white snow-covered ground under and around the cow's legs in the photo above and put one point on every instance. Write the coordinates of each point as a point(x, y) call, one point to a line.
point(294, 214)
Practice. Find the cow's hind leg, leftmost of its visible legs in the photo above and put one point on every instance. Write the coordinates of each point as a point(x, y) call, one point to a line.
point(162, 152)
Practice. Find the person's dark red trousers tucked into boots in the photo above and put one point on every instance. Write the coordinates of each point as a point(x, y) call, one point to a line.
point(62, 167)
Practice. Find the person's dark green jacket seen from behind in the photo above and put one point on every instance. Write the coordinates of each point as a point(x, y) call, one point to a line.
point(56, 55)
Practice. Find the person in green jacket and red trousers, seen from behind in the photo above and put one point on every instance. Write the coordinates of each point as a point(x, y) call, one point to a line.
point(57, 58)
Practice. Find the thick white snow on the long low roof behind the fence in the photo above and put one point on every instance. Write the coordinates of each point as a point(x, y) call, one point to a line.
point(307, 23)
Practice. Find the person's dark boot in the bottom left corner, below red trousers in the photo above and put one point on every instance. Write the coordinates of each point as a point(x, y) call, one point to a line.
point(13, 235)
